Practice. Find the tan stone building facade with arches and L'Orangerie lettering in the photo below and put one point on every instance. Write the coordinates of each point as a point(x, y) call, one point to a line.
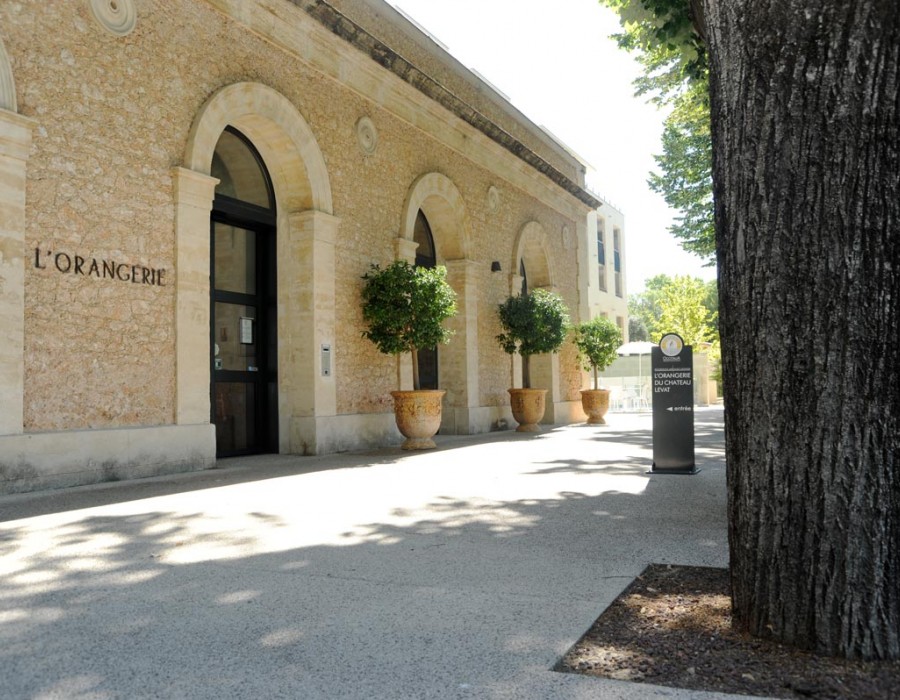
point(147, 147)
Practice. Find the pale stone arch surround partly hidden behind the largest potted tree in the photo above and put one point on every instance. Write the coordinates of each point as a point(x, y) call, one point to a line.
point(440, 200)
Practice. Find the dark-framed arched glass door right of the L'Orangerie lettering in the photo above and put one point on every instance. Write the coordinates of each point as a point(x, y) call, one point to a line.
point(243, 286)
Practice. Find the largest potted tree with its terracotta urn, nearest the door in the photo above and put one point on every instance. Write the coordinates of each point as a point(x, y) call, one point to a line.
point(404, 308)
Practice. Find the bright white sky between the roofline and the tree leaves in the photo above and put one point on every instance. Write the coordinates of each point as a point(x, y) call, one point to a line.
point(556, 63)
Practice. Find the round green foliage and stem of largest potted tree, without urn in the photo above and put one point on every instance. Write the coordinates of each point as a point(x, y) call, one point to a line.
point(404, 308)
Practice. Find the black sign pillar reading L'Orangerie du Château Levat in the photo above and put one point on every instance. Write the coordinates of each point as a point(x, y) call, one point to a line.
point(672, 365)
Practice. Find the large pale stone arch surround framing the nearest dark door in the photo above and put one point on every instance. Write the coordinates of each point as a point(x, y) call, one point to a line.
point(306, 233)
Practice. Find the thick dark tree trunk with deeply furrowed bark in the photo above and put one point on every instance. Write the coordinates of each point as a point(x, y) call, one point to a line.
point(805, 102)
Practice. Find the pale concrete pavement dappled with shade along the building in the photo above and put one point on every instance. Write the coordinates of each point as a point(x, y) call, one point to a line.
point(462, 572)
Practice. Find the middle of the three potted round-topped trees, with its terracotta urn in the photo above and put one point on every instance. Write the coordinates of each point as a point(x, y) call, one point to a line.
point(533, 324)
